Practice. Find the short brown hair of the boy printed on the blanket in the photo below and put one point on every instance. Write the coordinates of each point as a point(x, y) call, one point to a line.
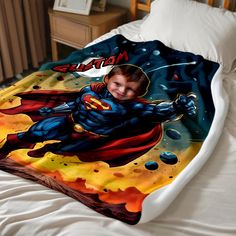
point(132, 73)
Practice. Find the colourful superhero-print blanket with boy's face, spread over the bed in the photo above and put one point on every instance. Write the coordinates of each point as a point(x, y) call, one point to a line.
point(113, 126)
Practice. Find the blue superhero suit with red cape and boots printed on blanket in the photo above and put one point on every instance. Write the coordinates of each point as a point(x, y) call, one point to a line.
point(93, 125)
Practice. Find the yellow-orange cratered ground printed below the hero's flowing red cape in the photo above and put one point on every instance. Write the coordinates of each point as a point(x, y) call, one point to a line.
point(94, 177)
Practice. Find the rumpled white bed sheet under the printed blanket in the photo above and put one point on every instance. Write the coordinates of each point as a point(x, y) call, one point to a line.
point(206, 206)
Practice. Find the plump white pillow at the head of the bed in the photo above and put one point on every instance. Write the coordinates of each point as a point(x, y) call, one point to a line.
point(194, 27)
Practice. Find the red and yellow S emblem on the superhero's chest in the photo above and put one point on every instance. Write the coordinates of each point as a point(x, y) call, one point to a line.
point(92, 103)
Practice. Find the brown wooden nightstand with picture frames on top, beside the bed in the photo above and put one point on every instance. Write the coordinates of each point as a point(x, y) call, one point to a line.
point(77, 30)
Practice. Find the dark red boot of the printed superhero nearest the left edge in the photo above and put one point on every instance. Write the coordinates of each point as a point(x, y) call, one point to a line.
point(12, 143)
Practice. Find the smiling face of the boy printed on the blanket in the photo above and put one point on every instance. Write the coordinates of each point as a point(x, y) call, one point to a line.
point(122, 89)
